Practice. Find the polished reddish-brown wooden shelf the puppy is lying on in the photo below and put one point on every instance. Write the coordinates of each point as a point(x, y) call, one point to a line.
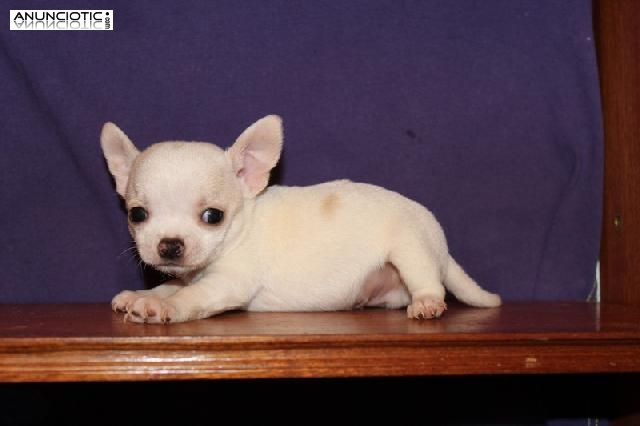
point(90, 343)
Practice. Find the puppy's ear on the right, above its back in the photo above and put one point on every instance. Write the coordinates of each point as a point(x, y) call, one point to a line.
point(256, 152)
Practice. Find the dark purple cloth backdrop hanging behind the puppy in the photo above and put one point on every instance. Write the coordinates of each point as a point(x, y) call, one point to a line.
point(487, 112)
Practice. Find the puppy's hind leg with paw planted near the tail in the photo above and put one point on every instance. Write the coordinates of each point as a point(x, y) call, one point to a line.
point(421, 271)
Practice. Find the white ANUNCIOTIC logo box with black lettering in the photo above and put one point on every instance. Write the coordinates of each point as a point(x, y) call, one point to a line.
point(61, 19)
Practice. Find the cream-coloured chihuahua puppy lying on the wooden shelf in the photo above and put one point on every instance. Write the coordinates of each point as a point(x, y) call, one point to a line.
point(202, 215)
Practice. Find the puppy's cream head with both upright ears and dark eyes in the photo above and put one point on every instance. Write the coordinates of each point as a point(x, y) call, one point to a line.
point(185, 198)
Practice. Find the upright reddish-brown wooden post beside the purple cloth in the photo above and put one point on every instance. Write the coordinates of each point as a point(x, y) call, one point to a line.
point(617, 25)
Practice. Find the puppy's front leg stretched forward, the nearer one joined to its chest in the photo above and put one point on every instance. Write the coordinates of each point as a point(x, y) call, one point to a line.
point(209, 296)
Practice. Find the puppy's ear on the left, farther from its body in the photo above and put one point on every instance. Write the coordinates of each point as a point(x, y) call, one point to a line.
point(119, 152)
